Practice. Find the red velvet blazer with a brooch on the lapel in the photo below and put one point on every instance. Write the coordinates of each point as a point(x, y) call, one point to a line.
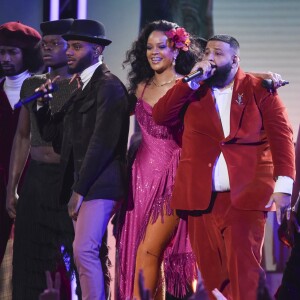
point(258, 149)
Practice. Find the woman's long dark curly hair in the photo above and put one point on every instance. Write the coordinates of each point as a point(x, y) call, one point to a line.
point(136, 57)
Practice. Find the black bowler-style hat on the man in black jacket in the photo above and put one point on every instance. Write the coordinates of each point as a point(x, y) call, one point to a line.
point(87, 30)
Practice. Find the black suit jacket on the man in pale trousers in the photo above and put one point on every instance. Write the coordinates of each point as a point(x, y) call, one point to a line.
point(94, 137)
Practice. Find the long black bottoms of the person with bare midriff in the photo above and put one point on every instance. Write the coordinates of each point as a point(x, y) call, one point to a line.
point(42, 226)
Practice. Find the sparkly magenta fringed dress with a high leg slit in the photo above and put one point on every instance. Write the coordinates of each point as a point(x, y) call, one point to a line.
point(152, 181)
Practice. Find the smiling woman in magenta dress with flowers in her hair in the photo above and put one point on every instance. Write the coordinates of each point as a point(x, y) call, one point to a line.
point(152, 237)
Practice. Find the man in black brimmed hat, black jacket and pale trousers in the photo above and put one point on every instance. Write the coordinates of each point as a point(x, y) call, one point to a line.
point(94, 144)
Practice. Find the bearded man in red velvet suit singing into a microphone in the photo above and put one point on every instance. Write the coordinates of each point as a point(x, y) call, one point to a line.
point(237, 163)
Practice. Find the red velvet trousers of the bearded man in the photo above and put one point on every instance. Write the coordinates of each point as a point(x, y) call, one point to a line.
point(228, 245)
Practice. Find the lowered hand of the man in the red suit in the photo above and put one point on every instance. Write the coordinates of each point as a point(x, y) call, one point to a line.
point(283, 205)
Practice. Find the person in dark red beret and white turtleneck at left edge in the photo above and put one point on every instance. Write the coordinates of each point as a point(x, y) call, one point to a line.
point(19, 57)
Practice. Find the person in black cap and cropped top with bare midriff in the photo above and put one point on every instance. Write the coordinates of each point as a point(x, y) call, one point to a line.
point(42, 224)
